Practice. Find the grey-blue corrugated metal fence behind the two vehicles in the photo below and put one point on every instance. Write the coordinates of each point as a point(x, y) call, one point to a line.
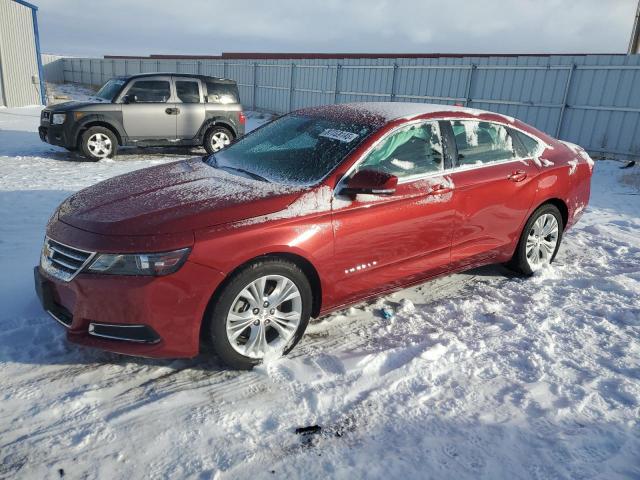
point(592, 100)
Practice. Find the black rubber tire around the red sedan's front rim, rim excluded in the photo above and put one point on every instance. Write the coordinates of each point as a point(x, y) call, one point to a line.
point(215, 333)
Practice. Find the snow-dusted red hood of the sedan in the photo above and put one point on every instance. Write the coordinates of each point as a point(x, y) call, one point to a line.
point(172, 198)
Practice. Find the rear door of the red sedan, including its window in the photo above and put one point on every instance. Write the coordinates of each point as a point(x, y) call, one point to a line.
point(494, 192)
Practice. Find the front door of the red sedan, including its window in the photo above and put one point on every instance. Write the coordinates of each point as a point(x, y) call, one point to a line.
point(382, 241)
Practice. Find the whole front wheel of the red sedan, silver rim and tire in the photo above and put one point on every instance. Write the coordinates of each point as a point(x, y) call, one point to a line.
point(235, 313)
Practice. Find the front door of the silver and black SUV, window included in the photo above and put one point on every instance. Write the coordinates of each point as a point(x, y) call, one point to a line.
point(149, 113)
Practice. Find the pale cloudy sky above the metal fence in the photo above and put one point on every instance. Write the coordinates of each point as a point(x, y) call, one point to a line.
point(78, 27)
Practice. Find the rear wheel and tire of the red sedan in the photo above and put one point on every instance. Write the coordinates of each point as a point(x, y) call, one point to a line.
point(532, 241)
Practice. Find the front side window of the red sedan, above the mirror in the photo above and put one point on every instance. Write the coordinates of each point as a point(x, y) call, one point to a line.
point(414, 150)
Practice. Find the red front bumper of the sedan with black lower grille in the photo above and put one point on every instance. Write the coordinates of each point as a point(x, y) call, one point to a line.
point(160, 316)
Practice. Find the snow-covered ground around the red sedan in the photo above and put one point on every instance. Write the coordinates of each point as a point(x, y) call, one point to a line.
point(478, 375)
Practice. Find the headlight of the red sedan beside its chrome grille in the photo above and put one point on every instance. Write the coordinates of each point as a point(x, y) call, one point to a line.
point(154, 264)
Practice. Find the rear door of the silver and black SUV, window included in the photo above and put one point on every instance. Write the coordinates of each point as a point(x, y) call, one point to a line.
point(189, 102)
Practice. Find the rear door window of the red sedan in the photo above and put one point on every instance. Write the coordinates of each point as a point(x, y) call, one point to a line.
point(481, 142)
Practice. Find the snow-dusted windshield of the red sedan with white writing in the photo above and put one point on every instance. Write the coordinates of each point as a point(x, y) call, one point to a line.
point(293, 150)
